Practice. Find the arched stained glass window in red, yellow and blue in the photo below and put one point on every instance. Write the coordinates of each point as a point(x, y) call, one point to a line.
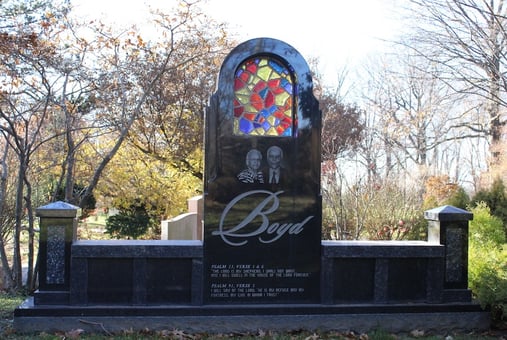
point(263, 98)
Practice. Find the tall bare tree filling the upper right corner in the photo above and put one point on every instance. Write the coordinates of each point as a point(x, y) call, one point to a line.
point(467, 38)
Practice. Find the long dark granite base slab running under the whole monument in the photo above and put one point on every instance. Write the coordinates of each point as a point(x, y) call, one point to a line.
point(252, 318)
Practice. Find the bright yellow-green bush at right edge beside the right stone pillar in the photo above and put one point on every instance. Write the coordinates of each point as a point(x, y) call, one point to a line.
point(487, 265)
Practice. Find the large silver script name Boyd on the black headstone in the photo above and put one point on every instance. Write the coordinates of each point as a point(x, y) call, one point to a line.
point(267, 232)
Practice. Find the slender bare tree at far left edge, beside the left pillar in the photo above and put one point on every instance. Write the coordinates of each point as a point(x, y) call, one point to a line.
point(24, 108)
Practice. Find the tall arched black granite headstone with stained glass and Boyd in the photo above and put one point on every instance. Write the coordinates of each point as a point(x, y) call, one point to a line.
point(262, 217)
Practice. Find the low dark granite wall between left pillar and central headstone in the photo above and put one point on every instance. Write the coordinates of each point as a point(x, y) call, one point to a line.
point(136, 272)
